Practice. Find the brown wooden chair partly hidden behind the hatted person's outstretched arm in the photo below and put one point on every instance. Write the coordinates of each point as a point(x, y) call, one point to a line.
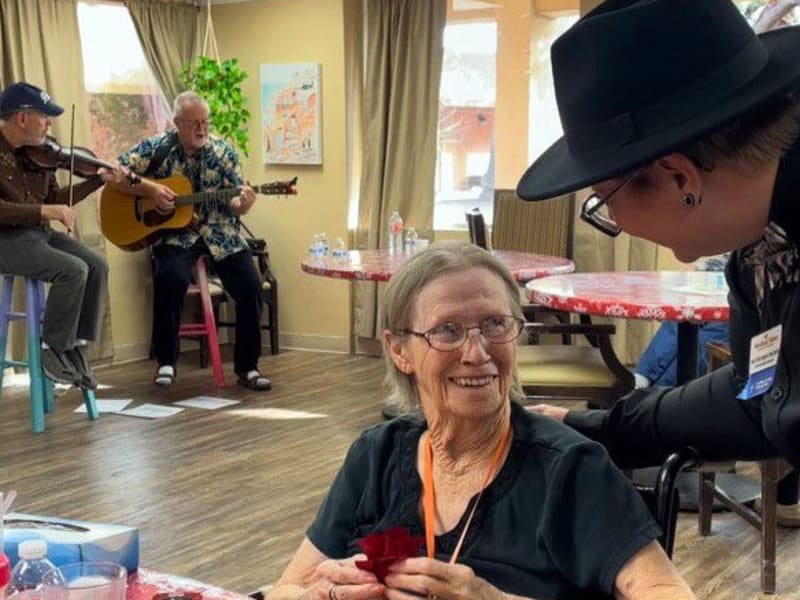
point(771, 472)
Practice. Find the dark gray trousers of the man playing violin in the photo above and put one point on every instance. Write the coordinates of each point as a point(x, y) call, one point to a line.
point(78, 279)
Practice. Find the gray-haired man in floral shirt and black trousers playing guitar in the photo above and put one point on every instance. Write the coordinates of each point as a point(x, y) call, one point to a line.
point(210, 164)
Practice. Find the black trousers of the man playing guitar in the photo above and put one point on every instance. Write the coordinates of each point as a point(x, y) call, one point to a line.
point(172, 272)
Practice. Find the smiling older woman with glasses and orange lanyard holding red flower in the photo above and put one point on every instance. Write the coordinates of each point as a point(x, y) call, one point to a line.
point(552, 515)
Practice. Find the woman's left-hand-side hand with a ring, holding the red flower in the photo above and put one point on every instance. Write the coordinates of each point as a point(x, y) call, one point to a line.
point(351, 582)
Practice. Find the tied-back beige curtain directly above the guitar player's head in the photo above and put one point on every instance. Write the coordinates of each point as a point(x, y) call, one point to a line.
point(169, 34)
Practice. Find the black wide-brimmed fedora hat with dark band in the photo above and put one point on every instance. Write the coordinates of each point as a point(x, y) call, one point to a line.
point(637, 79)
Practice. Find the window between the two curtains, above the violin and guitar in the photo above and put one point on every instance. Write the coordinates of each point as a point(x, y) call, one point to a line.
point(125, 104)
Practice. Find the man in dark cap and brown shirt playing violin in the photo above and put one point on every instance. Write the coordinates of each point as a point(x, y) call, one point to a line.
point(30, 200)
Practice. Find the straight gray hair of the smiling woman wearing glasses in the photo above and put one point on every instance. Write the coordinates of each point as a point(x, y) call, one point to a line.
point(429, 264)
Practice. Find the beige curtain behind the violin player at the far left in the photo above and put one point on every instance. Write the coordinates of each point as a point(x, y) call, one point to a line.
point(40, 44)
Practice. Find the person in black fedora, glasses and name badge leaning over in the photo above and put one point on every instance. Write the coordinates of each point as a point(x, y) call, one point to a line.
point(685, 123)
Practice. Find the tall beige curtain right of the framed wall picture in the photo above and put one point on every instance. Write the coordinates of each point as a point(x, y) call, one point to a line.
point(400, 55)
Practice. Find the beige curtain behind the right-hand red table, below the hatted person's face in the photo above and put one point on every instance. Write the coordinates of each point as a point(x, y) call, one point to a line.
point(594, 251)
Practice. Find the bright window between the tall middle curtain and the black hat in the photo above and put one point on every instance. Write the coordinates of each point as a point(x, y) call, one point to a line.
point(497, 109)
